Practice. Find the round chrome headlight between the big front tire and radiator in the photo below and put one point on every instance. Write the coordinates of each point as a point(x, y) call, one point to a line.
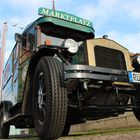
point(71, 45)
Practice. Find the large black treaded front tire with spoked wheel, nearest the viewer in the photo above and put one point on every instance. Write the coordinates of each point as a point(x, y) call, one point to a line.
point(49, 100)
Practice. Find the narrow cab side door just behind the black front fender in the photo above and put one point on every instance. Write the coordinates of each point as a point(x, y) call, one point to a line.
point(25, 52)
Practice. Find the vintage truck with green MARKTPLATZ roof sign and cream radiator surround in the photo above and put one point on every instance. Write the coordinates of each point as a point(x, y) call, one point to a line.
point(59, 74)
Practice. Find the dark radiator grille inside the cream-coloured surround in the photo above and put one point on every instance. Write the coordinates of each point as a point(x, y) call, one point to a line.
point(109, 58)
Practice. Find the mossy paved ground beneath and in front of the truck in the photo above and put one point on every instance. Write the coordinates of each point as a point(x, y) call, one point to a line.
point(110, 134)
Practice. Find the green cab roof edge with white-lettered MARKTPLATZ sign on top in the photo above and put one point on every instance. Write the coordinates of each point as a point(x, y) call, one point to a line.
point(65, 20)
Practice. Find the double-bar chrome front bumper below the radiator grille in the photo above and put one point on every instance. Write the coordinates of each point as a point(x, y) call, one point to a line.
point(95, 73)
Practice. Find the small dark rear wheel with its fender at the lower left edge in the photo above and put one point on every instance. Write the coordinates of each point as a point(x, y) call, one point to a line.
point(4, 128)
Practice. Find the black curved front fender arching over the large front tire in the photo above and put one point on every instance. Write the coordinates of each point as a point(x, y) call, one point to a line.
point(27, 98)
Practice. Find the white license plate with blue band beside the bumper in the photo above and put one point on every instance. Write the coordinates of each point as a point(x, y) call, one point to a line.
point(134, 77)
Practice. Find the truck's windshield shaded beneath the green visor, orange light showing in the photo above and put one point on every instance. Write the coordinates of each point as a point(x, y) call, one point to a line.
point(55, 35)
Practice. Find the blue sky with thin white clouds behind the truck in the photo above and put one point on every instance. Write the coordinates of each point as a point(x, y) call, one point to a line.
point(119, 19)
